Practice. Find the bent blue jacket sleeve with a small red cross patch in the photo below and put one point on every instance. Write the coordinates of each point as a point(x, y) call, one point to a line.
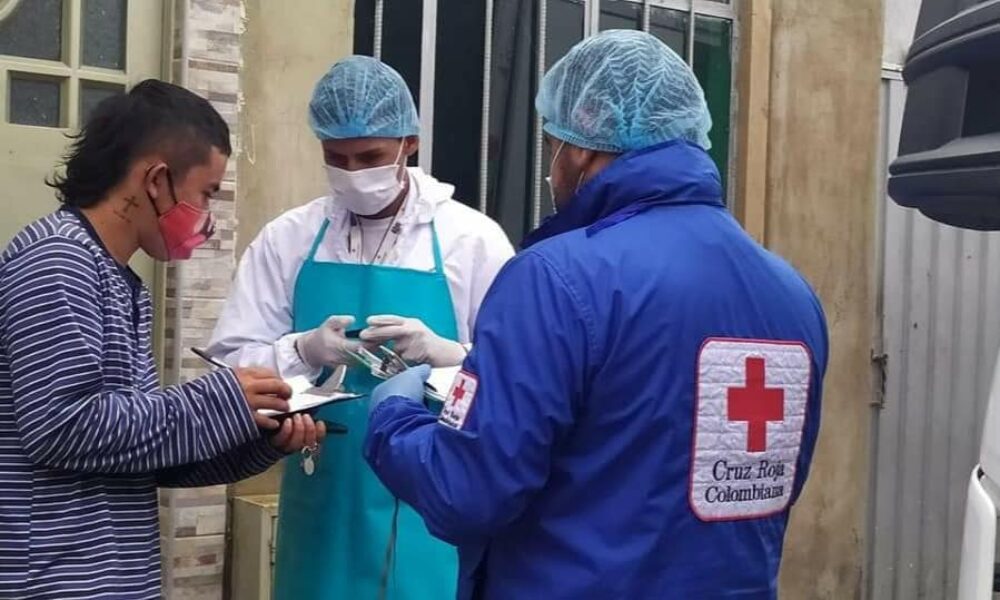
point(476, 469)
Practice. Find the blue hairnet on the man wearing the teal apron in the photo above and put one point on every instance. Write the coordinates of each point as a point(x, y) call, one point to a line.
point(362, 97)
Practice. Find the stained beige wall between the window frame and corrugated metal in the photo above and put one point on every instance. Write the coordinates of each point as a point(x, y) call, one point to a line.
point(819, 213)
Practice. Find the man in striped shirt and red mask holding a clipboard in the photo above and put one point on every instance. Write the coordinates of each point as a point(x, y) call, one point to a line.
point(86, 434)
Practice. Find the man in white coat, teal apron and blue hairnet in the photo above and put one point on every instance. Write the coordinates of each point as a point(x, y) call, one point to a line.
point(388, 252)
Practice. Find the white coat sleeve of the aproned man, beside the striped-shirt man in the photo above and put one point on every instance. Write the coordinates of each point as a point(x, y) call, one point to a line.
point(254, 329)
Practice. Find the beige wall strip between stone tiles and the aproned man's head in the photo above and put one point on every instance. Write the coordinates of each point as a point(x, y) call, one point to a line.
point(284, 53)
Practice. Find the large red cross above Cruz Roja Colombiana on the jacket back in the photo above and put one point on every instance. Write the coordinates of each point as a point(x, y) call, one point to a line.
point(756, 404)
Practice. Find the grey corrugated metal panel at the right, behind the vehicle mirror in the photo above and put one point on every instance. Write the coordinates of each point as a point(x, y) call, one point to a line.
point(940, 324)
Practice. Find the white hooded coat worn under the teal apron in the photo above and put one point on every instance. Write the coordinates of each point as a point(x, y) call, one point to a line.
point(256, 322)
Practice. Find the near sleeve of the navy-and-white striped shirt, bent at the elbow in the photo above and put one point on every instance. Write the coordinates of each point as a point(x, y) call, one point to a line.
point(52, 323)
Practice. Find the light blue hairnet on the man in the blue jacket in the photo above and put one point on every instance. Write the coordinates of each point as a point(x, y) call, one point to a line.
point(620, 91)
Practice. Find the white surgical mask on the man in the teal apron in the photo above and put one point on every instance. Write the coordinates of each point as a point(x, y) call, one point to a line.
point(368, 191)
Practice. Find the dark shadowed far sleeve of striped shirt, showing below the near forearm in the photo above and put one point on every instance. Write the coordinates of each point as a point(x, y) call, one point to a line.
point(246, 461)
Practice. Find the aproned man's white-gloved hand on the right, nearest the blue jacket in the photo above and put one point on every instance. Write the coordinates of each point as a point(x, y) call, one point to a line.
point(414, 341)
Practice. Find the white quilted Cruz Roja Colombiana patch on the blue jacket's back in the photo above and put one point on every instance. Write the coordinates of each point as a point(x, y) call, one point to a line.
point(751, 407)
